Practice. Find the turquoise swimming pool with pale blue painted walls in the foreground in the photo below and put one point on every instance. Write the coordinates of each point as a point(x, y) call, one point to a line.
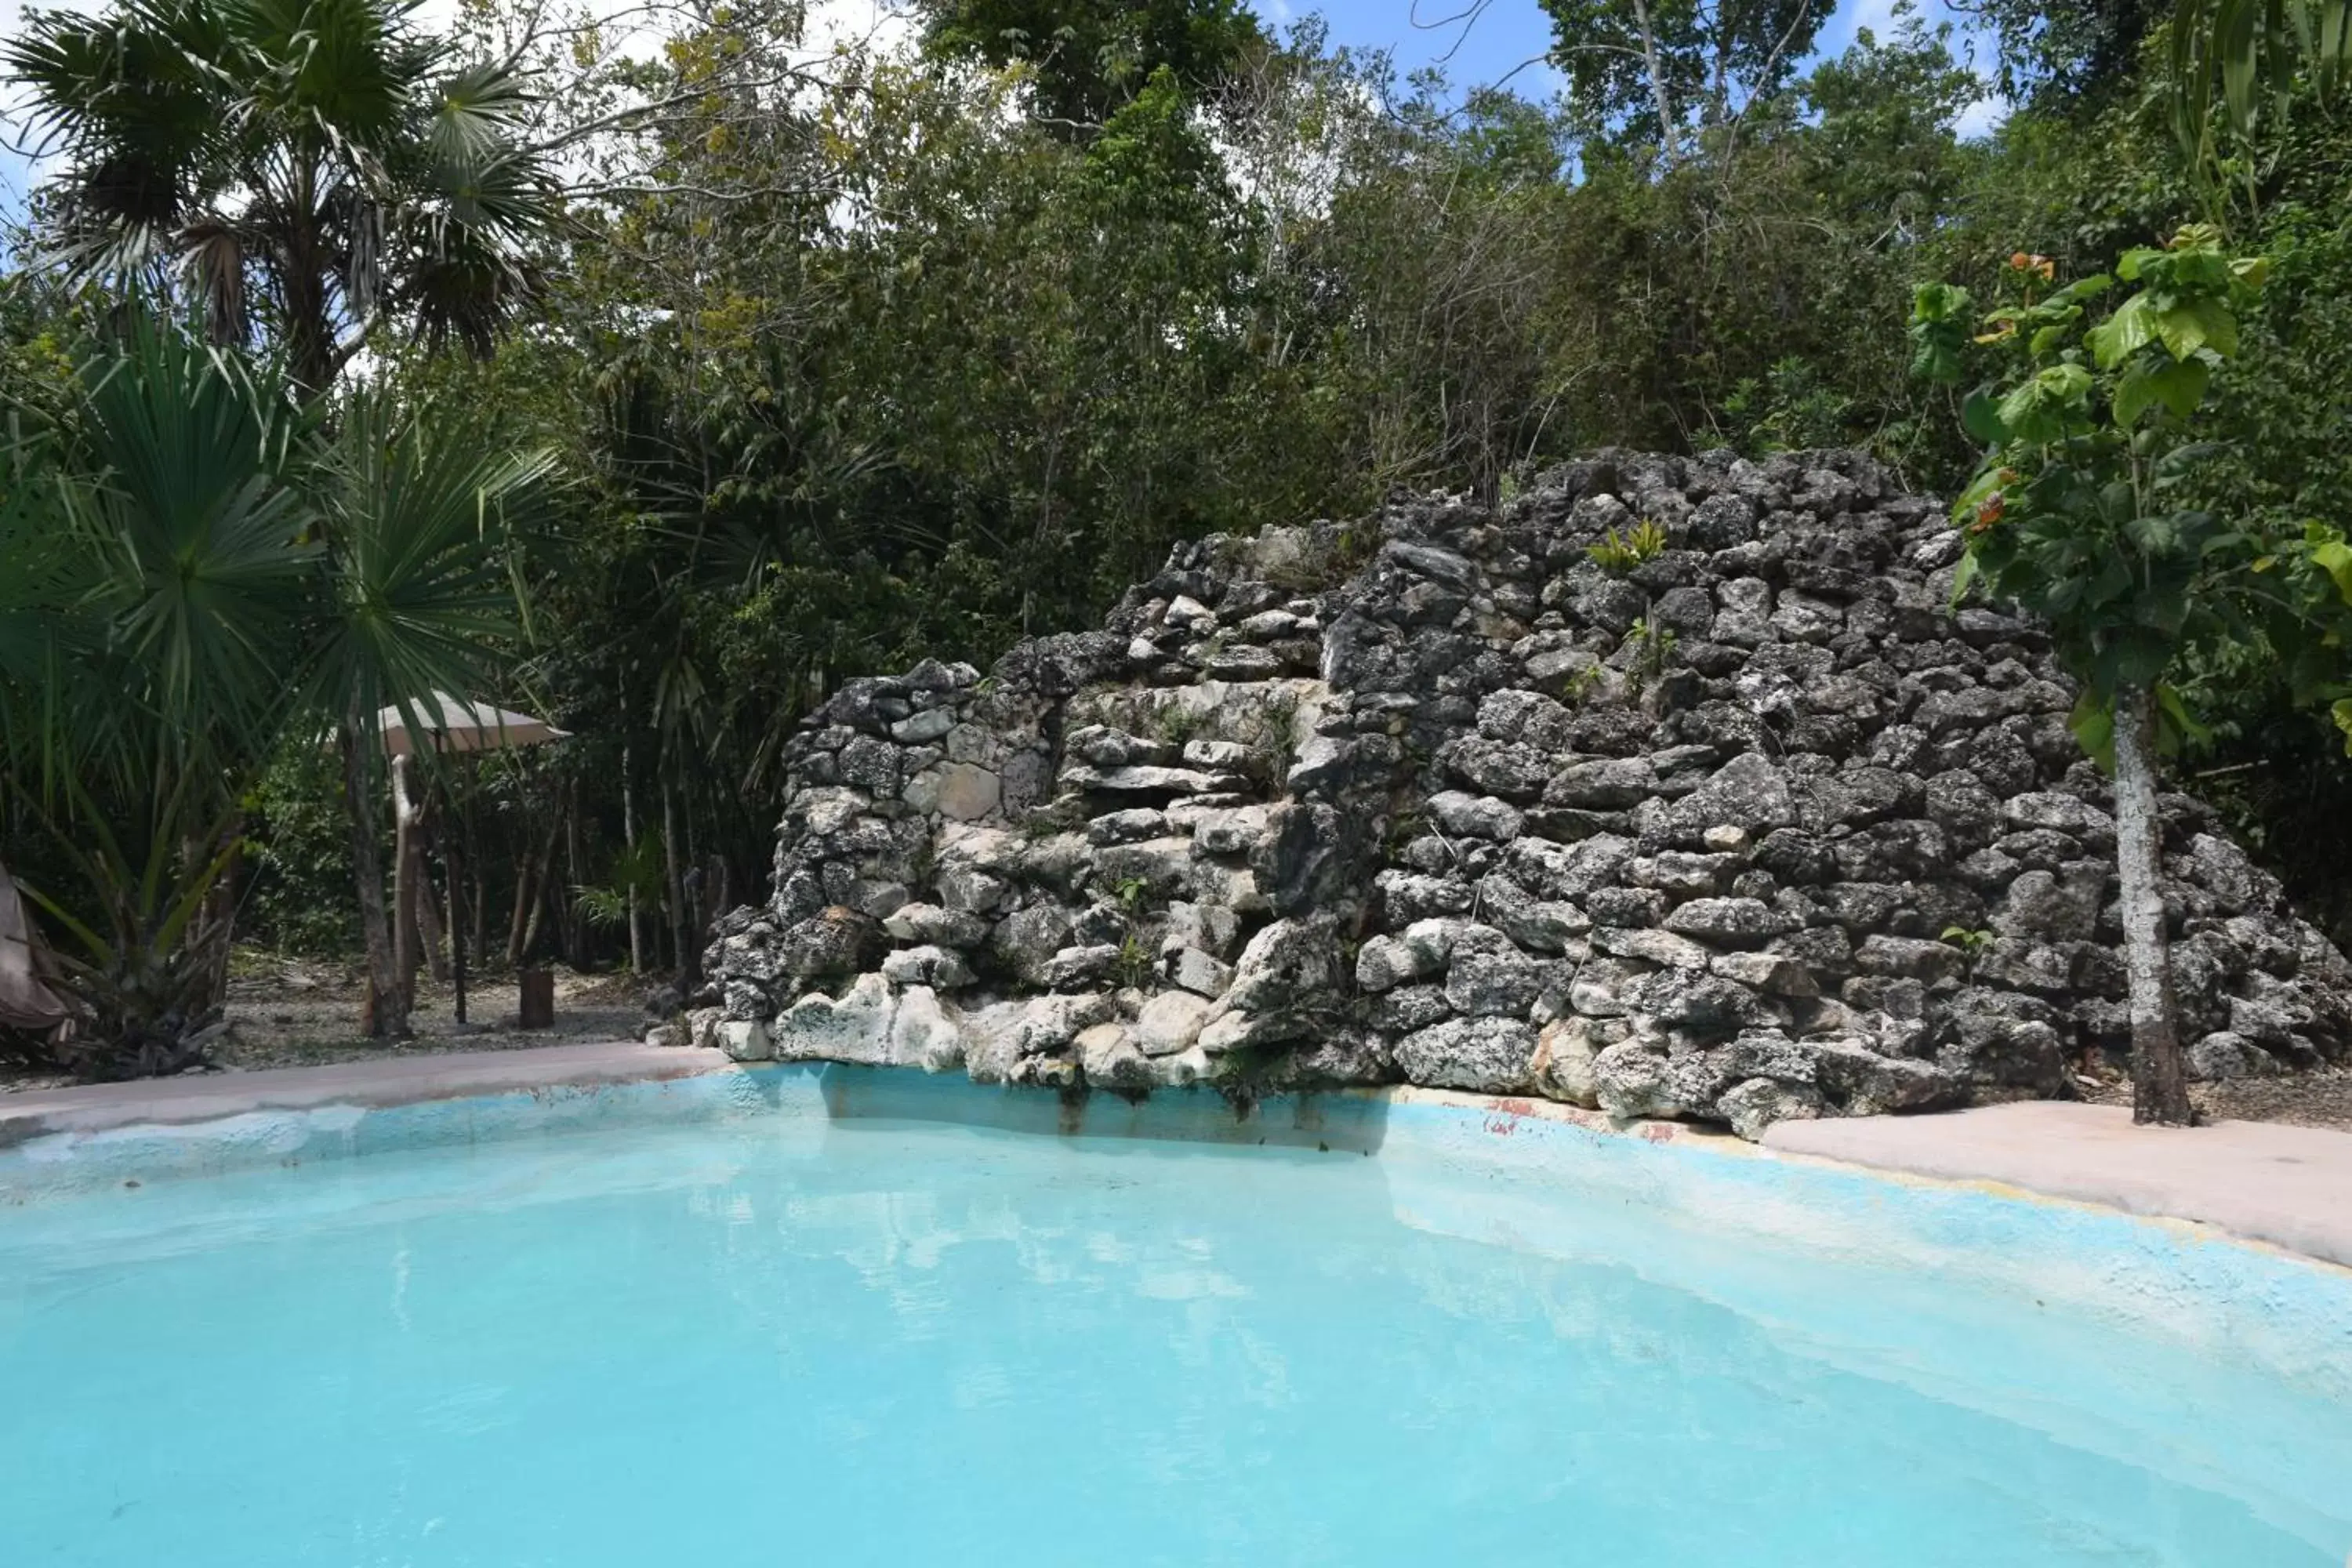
point(803, 1341)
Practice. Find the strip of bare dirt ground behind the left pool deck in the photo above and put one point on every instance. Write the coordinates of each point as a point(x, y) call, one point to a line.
point(302, 1012)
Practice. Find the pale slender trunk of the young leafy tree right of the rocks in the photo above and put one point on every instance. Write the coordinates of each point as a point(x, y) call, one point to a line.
point(2160, 1087)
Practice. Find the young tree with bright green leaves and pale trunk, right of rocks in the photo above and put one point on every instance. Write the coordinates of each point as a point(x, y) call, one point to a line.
point(2083, 514)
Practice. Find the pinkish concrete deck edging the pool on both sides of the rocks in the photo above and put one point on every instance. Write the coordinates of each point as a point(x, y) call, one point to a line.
point(2273, 1184)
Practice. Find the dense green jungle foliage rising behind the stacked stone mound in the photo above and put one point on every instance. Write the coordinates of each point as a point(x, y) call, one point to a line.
point(850, 359)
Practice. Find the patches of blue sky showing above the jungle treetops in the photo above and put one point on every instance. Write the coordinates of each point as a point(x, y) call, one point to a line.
point(1504, 39)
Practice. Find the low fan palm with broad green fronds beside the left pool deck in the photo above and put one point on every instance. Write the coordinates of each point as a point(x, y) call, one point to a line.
point(185, 587)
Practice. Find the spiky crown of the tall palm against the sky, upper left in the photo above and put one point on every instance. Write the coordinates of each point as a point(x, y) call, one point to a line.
point(309, 163)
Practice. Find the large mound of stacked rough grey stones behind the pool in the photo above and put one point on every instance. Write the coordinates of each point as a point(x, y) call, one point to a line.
point(1756, 826)
